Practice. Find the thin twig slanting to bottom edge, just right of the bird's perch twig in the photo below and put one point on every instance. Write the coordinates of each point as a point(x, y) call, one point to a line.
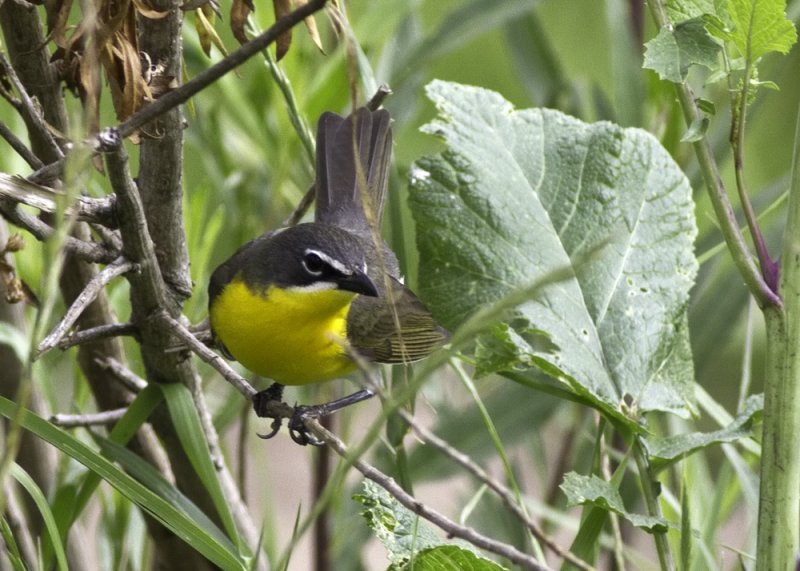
point(506, 496)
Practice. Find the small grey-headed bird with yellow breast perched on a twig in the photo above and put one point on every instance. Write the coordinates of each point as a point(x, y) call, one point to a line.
point(306, 303)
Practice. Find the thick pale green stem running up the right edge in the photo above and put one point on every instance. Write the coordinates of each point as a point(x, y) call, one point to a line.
point(779, 497)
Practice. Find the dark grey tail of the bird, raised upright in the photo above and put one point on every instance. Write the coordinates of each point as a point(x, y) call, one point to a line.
point(353, 157)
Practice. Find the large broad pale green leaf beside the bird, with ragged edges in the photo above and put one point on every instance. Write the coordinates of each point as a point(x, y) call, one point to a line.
point(523, 194)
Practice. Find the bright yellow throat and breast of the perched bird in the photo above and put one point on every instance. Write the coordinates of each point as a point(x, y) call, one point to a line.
point(289, 335)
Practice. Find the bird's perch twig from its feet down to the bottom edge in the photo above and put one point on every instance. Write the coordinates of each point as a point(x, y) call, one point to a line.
point(452, 528)
